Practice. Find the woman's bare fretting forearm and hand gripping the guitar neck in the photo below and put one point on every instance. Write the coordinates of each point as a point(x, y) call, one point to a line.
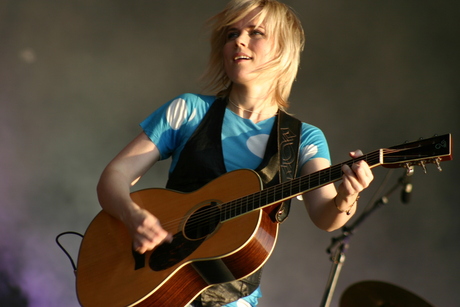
point(330, 208)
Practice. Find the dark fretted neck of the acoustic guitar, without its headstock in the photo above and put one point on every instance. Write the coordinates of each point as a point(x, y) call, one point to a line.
point(293, 188)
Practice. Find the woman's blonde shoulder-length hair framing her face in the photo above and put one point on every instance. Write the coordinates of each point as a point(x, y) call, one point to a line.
point(281, 23)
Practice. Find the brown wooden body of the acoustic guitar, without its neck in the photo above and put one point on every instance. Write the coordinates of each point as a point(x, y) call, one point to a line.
point(110, 274)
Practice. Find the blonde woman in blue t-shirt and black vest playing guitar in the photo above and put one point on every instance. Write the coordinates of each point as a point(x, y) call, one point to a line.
point(255, 54)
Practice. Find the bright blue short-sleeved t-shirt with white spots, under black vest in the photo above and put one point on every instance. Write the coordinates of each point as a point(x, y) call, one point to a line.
point(243, 141)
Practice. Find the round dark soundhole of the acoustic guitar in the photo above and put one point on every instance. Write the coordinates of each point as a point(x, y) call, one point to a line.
point(202, 222)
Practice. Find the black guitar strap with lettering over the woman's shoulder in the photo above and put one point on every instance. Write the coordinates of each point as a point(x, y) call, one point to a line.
point(289, 130)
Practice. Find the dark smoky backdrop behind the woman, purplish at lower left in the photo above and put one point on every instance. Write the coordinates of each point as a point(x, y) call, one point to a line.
point(76, 78)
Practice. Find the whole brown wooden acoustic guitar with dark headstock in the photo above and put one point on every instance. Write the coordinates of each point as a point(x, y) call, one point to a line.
point(222, 232)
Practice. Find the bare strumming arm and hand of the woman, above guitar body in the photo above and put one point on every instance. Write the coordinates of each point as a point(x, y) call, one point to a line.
point(113, 192)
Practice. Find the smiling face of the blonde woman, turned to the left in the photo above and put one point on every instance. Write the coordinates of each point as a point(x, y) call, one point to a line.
point(247, 49)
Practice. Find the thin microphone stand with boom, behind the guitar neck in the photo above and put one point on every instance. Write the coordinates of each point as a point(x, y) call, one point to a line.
point(339, 245)
